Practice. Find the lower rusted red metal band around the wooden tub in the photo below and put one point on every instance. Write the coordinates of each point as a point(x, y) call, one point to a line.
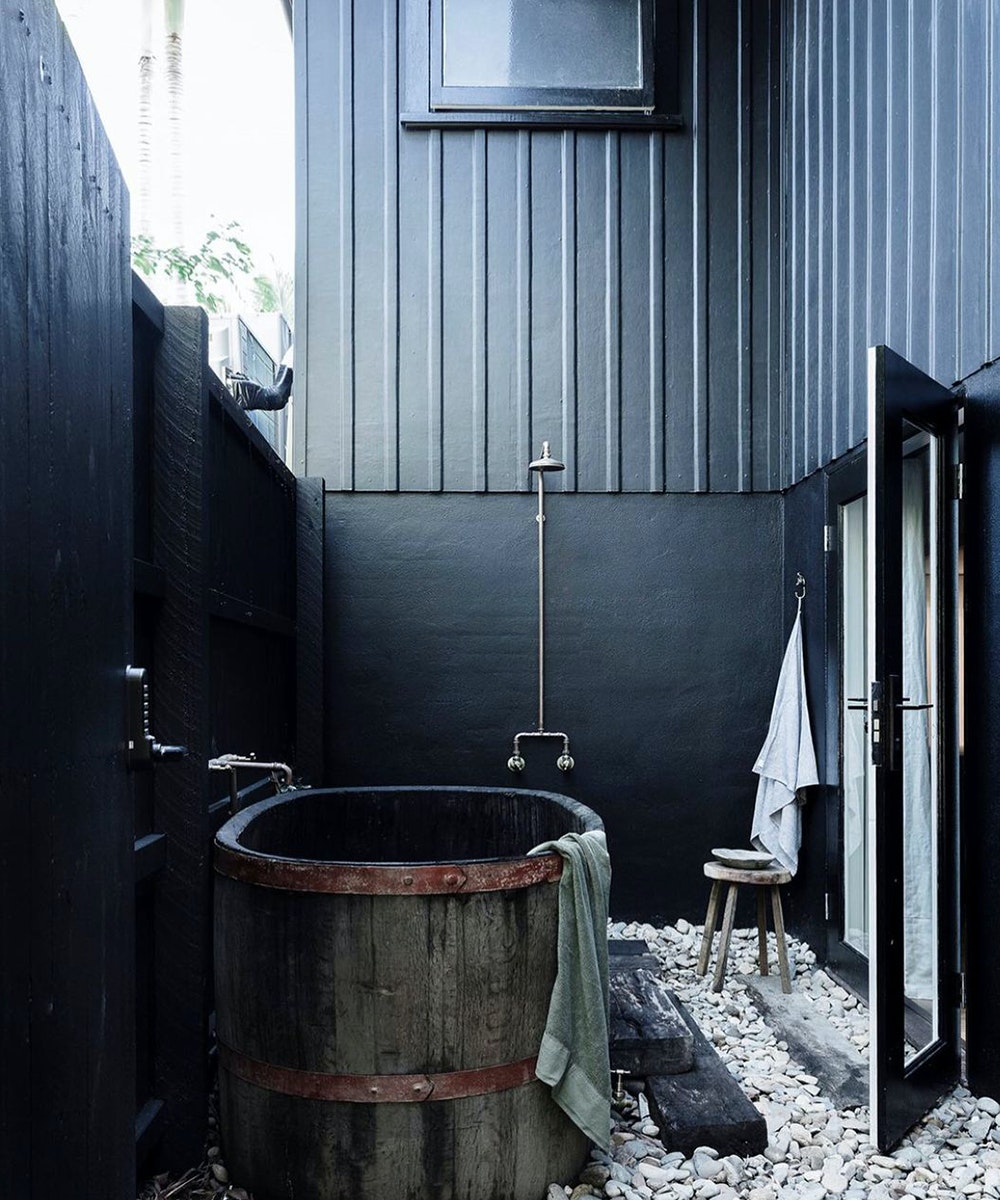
point(314, 1085)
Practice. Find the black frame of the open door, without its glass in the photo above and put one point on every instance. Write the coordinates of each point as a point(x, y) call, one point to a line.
point(903, 1091)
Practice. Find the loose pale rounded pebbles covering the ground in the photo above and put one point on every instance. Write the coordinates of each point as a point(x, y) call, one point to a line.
point(815, 1150)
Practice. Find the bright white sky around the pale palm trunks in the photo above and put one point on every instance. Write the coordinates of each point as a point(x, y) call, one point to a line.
point(239, 100)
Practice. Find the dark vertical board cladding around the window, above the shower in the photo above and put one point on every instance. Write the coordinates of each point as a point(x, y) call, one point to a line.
point(470, 293)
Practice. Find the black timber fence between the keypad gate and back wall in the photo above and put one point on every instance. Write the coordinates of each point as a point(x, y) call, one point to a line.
point(229, 562)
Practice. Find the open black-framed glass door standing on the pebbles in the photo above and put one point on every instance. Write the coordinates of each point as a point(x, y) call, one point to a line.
point(911, 926)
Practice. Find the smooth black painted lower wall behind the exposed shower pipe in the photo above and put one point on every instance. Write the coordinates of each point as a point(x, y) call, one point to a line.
point(664, 638)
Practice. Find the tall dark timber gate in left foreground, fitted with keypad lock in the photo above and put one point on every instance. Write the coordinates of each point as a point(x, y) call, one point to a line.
point(67, 891)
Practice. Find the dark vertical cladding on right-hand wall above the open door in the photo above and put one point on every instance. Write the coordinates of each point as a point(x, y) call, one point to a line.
point(891, 183)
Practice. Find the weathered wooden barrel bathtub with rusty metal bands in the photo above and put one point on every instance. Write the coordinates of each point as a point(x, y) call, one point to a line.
point(385, 961)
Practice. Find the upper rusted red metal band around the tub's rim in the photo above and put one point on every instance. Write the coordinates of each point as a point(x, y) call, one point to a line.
point(356, 879)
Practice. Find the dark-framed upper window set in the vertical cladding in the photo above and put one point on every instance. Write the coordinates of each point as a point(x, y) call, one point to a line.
point(542, 62)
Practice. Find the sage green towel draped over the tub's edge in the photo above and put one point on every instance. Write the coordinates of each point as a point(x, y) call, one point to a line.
point(574, 1059)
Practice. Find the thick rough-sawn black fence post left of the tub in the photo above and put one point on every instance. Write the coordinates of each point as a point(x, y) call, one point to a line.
point(182, 527)
